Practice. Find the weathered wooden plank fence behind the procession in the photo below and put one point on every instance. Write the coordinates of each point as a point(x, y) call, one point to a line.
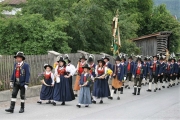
point(36, 63)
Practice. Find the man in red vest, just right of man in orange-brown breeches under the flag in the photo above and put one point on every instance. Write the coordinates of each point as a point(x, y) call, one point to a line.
point(130, 68)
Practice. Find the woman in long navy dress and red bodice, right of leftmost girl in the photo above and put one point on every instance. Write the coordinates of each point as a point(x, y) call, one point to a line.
point(62, 90)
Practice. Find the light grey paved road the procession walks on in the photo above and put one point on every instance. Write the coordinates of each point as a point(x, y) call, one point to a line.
point(162, 105)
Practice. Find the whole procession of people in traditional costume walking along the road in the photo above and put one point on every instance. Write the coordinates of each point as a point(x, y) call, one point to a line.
point(93, 77)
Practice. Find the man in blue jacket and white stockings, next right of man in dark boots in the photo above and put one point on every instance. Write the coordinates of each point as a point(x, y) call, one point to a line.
point(154, 65)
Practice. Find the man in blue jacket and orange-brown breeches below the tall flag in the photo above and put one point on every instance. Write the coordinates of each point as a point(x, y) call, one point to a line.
point(118, 76)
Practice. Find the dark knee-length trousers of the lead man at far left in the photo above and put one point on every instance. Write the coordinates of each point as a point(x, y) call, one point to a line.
point(16, 89)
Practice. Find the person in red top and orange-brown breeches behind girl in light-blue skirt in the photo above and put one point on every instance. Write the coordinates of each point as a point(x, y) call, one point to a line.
point(79, 70)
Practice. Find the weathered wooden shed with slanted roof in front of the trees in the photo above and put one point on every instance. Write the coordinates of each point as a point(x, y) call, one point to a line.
point(153, 44)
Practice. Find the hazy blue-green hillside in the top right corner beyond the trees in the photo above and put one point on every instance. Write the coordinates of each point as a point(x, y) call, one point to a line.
point(172, 5)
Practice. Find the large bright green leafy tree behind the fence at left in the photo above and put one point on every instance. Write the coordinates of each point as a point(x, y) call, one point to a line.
point(32, 34)
